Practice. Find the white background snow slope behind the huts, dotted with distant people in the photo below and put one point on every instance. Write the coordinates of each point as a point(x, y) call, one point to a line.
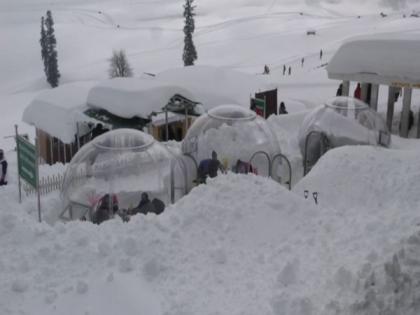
point(243, 35)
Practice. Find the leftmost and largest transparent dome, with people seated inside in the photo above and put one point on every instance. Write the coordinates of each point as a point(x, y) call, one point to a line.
point(116, 171)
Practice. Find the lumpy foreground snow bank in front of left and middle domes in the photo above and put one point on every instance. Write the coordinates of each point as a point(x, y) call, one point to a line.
point(238, 245)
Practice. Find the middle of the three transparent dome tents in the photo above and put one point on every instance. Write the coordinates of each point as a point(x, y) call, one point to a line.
point(242, 141)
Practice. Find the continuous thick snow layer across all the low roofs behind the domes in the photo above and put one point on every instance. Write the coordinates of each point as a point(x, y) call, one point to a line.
point(54, 111)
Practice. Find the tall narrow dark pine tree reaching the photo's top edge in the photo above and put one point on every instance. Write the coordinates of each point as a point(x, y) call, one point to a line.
point(190, 53)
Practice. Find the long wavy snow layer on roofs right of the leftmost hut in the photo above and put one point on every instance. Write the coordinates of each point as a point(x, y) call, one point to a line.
point(210, 86)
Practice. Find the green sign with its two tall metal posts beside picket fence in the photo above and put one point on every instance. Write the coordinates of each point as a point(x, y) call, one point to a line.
point(27, 157)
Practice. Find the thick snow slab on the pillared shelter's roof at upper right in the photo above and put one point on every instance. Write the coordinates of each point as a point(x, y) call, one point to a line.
point(382, 60)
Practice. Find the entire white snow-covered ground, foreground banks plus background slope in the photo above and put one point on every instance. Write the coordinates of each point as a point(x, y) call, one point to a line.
point(240, 244)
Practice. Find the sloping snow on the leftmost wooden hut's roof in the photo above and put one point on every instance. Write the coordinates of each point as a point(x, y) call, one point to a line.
point(56, 111)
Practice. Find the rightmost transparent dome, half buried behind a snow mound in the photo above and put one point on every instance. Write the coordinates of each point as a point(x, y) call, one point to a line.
point(340, 121)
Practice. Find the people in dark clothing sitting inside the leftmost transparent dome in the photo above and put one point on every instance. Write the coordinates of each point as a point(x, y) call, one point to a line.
point(108, 207)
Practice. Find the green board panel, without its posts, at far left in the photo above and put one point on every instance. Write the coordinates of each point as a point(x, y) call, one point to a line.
point(27, 161)
